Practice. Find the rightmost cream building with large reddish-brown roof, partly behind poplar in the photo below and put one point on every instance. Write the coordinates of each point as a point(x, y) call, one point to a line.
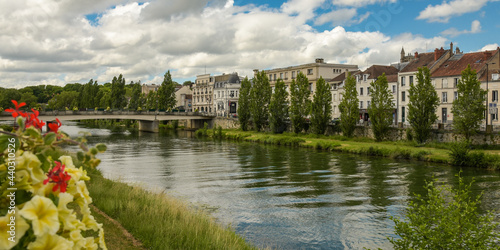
point(447, 76)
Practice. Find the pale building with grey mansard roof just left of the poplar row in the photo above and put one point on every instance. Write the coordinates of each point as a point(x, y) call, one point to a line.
point(226, 88)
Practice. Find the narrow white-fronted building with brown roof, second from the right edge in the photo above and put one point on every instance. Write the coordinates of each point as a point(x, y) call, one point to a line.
point(407, 76)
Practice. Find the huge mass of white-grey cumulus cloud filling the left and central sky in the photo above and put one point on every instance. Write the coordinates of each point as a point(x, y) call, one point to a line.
point(52, 42)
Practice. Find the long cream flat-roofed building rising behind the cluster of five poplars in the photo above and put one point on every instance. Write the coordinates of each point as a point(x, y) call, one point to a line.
point(313, 72)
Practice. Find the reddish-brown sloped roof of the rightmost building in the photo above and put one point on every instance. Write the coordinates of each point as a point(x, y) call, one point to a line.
point(457, 63)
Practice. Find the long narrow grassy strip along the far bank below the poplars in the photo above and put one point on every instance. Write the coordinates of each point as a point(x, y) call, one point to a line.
point(430, 152)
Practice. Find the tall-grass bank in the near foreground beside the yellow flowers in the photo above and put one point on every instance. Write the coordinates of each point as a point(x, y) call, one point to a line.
point(159, 221)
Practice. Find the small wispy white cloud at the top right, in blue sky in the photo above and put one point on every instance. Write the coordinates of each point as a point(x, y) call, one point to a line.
point(446, 10)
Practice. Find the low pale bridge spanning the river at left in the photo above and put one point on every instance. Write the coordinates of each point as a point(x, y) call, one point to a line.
point(148, 120)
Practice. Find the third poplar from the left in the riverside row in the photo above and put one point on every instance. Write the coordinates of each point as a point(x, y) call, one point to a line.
point(278, 108)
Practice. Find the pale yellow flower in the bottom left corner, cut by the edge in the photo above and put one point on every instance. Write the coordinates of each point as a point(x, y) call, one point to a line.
point(20, 228)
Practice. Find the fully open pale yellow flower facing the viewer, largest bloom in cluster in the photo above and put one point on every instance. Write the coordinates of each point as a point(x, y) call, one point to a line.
point(43, 215)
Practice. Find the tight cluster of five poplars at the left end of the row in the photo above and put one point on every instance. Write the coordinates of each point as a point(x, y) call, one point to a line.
point(259, 104)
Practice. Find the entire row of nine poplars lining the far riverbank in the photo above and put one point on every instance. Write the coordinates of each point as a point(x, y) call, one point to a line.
point(257, 103)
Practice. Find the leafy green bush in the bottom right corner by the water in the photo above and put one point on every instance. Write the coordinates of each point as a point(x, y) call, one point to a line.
point(447, 219)
